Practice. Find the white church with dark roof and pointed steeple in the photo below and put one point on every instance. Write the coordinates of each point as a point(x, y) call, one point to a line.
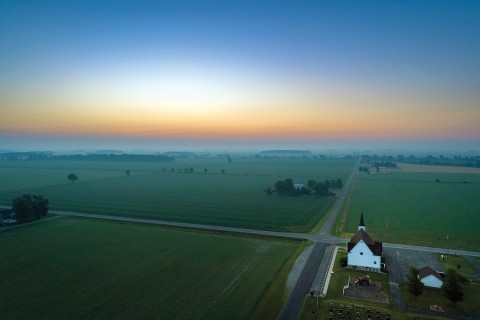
point(363, 251)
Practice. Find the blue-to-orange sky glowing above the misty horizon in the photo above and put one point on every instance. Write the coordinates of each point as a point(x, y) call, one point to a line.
point(172, 74)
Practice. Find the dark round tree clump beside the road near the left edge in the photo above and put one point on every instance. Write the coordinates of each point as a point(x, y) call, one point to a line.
point(28, 207)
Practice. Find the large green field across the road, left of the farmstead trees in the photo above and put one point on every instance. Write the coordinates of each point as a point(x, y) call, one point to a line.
point(164, 191)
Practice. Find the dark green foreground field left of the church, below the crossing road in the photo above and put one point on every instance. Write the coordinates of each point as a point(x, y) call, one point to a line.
point(70, 268)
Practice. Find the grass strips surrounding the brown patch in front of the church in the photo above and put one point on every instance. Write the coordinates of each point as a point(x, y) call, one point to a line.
point(334, 295)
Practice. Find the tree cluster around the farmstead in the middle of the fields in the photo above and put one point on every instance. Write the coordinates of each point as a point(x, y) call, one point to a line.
point(287, 187)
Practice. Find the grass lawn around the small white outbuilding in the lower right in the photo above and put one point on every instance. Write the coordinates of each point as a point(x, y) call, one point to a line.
point(470, 306)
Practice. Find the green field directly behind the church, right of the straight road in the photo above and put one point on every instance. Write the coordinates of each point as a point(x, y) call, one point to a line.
point(422, 208)
